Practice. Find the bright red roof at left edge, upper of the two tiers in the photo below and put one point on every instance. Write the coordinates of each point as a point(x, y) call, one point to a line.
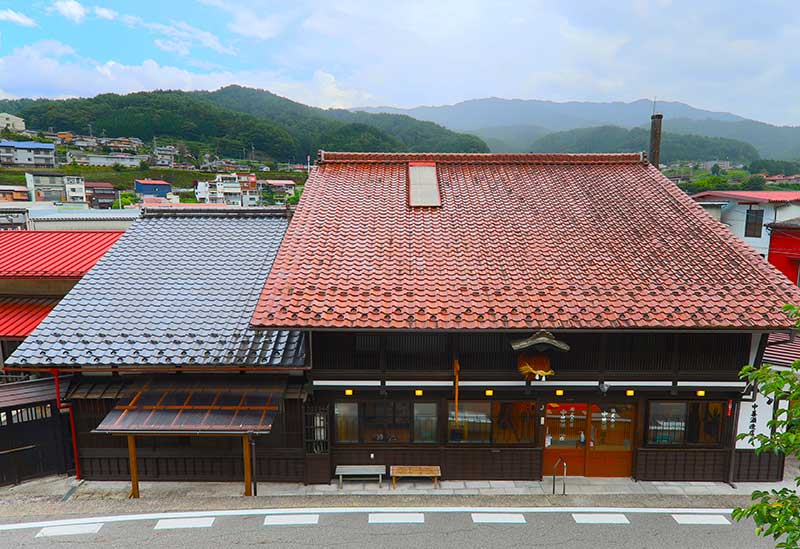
point(52, 254)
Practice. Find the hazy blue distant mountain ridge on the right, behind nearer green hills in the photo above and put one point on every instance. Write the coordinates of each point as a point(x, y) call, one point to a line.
point(512, 125)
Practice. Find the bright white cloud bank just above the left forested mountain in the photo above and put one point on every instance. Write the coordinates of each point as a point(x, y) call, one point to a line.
point(52, 69)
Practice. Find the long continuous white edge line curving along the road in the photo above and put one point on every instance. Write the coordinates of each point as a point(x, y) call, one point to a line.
point(351, 510)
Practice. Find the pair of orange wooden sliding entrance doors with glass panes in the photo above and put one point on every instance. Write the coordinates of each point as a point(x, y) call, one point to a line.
point(595, 439)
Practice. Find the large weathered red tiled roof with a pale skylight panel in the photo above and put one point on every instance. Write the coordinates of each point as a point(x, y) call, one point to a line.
point(520, 242)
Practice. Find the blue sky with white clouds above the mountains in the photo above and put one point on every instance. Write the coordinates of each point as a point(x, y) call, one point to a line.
point(730, 55)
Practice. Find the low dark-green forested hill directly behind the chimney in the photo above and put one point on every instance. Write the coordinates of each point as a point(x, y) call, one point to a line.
point(673, 146)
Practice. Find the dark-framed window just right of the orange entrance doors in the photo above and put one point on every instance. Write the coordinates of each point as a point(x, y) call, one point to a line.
point(678, 423)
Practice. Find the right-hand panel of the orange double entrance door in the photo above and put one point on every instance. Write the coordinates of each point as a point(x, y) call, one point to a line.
point(610, 449)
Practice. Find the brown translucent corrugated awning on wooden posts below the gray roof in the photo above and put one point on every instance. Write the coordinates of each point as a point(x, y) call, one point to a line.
point(219, 406)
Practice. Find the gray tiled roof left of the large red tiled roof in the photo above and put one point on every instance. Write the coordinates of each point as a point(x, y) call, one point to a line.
point(178, 288)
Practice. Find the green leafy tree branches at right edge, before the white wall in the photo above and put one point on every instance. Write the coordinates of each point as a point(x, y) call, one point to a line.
point(777, 512)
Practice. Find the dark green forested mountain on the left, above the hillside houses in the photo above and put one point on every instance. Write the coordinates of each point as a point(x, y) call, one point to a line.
point(232, 119)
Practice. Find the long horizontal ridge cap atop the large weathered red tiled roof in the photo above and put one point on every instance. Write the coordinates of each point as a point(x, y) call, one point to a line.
point(325, 157)
